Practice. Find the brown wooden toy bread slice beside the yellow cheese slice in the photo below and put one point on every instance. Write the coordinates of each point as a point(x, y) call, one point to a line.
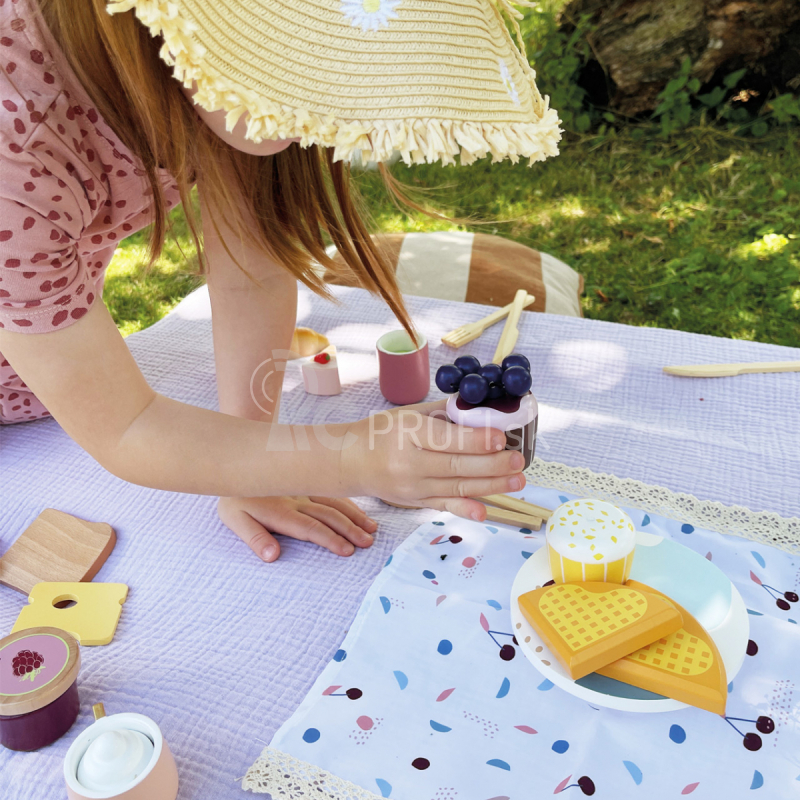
point(56, 547)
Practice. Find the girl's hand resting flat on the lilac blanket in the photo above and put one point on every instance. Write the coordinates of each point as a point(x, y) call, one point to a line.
point(336, 524)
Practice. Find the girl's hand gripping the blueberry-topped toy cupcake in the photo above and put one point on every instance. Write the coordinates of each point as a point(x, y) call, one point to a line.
point(414, 456)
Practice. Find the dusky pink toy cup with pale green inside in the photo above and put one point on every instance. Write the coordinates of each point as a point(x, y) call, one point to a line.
point(403, 368)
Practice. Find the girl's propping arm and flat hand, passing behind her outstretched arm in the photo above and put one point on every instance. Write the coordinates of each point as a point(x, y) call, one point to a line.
point(253, 321)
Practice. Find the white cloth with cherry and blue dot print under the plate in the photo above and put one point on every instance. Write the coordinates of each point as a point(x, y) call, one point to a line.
point(430, 698)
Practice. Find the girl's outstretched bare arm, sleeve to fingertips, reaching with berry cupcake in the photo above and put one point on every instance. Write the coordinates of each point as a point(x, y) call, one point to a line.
point(88, 380)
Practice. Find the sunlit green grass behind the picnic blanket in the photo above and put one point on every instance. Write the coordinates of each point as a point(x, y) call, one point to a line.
point(699, 235)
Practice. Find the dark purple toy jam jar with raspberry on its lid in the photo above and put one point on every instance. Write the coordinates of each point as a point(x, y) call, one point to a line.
point(38, 687)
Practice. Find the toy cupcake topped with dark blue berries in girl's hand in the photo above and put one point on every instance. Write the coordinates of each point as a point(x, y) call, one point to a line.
point(493, 396)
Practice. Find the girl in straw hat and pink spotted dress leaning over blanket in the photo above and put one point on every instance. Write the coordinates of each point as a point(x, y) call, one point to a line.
point(99, 139)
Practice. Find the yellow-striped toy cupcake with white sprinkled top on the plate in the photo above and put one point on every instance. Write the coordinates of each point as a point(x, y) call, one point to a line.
point(590, 540)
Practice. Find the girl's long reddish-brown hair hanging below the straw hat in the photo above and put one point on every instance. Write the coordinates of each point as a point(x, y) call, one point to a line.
point(282, 204)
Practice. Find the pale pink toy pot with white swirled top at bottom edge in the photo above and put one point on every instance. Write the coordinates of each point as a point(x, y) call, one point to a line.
point(148, 773)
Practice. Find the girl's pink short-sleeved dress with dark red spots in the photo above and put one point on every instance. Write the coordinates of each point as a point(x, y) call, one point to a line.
point(69, 192)
